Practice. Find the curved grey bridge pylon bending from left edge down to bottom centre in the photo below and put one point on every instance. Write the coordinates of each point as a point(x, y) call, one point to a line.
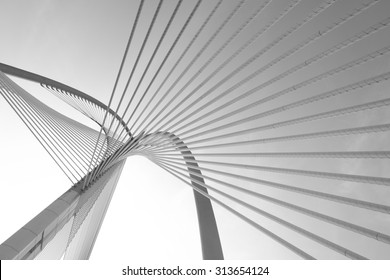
point(210, 241)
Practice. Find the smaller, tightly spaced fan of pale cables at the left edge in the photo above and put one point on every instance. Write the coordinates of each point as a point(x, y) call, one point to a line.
point(68, 142)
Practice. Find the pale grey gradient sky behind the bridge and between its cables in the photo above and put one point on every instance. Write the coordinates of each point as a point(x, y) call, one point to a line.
point(152, 214)
